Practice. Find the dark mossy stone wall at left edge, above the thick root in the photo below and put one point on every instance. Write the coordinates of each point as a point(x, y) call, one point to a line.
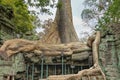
point(6, 26)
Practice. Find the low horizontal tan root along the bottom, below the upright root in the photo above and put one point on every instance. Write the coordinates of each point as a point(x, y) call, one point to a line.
point(84, 73)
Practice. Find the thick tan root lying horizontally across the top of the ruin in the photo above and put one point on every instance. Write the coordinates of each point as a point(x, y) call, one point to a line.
point(14, 46)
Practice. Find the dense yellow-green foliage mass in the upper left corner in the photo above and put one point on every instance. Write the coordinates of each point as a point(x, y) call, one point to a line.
point(22, 19)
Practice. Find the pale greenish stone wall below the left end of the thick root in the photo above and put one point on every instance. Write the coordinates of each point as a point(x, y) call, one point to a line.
point(15, 65)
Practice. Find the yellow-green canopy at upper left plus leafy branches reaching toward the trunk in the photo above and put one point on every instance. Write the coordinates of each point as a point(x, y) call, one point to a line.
point(22, 19)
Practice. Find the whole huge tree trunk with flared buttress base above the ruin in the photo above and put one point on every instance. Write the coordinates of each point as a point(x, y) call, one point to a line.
point(62, 29)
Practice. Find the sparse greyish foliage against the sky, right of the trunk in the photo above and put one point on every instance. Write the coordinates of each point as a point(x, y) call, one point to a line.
point(94, 10)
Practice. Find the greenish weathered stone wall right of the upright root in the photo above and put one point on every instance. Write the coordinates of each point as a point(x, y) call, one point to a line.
point(109, 52)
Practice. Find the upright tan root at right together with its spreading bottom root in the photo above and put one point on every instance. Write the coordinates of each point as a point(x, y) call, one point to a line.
point(93, 71)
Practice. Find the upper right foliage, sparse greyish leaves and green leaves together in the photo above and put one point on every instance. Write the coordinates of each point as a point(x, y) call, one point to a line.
point(103, 11)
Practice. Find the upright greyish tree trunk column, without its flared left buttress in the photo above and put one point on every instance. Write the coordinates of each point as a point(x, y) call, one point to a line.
point(65, 24)
